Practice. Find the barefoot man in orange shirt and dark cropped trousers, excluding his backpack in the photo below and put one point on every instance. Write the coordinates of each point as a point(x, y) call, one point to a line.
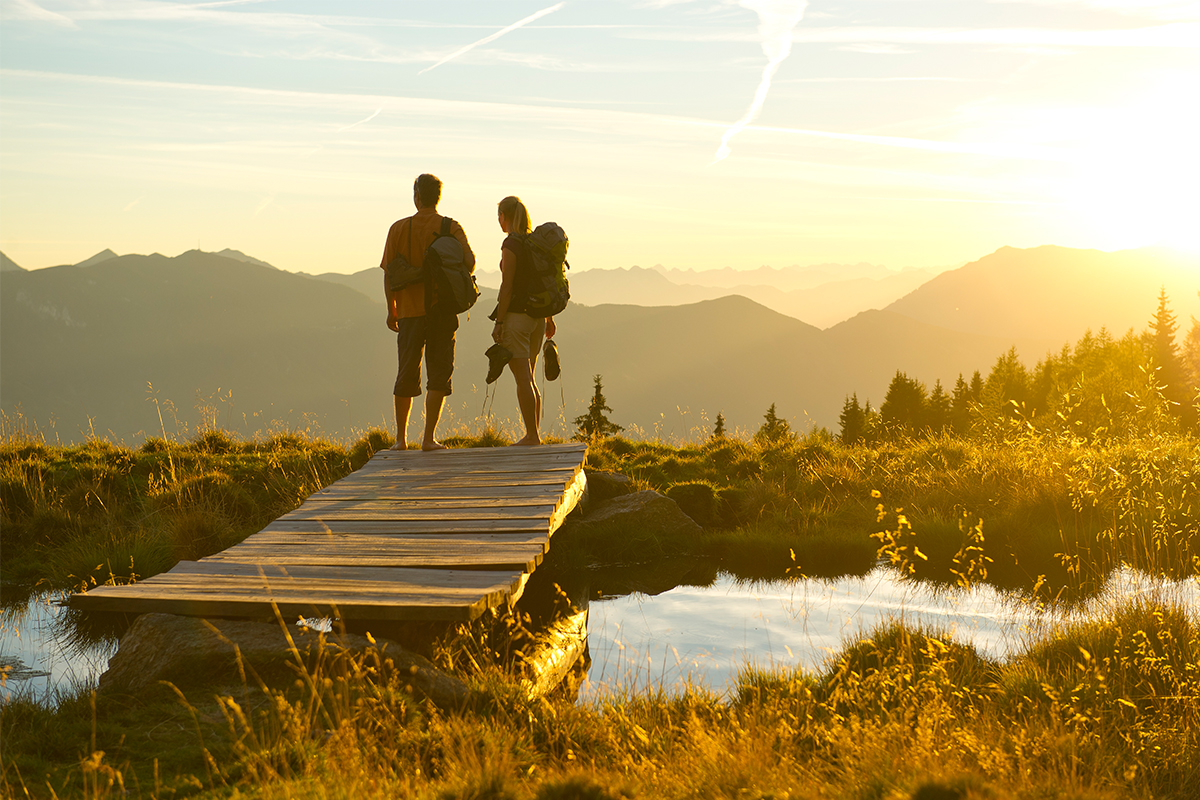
point(415, 314)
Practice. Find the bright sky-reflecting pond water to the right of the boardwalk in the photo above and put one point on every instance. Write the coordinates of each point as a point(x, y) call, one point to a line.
point(706, 635)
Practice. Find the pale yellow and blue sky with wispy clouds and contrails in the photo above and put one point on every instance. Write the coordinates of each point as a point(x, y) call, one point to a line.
point(689, 134)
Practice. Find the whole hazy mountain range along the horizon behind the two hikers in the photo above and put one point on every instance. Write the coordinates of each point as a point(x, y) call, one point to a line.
point(91, 347)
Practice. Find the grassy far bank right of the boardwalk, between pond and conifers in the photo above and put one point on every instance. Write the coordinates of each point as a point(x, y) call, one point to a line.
point(1052, 516)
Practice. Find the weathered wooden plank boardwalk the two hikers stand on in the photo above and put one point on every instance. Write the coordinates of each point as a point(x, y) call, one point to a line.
point(410, 537)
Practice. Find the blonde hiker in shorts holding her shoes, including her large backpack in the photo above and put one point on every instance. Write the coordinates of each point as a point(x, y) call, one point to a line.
point(533, 290)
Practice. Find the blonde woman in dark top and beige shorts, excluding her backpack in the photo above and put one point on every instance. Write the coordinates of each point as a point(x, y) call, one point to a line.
point(517, 330)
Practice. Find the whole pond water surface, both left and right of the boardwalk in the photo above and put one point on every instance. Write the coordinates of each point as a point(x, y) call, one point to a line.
point(638, 641)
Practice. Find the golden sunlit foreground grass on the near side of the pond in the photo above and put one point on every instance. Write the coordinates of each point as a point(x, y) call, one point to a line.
point(1108, 708)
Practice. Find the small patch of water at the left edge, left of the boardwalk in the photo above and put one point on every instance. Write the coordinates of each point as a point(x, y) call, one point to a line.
point(45, 652)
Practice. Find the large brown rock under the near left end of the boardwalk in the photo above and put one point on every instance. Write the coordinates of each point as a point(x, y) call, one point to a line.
point(166, 647)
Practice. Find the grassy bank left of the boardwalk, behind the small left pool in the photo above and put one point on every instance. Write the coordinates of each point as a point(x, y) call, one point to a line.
point(100, 513)
